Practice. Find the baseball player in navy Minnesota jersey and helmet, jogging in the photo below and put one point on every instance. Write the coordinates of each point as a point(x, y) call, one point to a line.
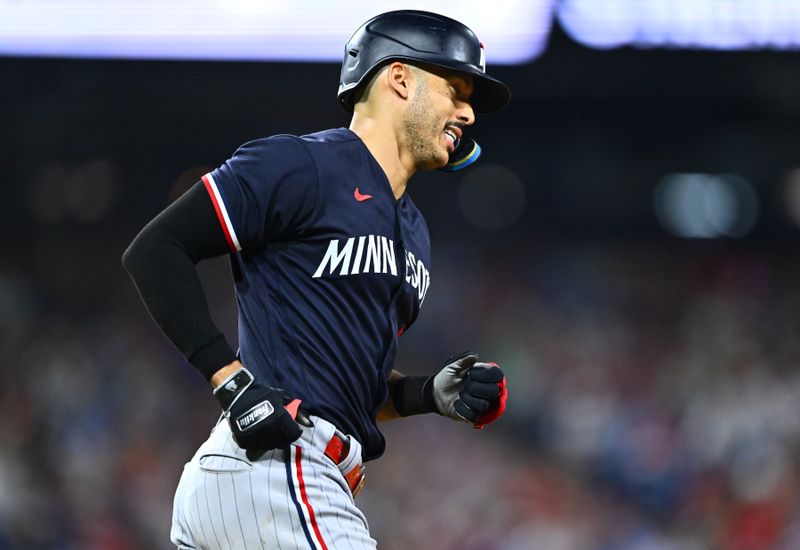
point(331, 264)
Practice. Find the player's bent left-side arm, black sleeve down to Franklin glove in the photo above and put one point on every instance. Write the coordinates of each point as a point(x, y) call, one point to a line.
point(161, 261)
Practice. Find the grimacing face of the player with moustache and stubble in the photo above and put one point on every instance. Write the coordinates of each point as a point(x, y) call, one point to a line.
point(438, 111)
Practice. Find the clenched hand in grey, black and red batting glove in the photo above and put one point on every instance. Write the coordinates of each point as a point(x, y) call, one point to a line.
point(471, 391)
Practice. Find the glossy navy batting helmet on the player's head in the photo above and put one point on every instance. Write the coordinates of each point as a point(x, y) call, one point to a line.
point(411, 35)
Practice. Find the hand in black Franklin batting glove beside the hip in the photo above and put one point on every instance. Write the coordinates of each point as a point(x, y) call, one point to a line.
point(256, 413)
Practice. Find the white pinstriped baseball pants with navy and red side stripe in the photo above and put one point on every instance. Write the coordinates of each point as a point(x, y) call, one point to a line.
point(284, 500)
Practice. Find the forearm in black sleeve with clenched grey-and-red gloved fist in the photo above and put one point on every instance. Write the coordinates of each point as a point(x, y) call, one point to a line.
point(465, 389)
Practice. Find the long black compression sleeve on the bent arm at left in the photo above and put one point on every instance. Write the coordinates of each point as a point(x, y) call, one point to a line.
point(161, 261)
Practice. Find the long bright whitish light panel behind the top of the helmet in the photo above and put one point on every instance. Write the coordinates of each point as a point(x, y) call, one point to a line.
point(277, 30)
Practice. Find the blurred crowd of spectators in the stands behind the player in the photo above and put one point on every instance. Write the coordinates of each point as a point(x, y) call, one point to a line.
point(654, 403)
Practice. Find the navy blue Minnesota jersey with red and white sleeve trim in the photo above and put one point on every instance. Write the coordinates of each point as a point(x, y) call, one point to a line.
point(333, 270)
